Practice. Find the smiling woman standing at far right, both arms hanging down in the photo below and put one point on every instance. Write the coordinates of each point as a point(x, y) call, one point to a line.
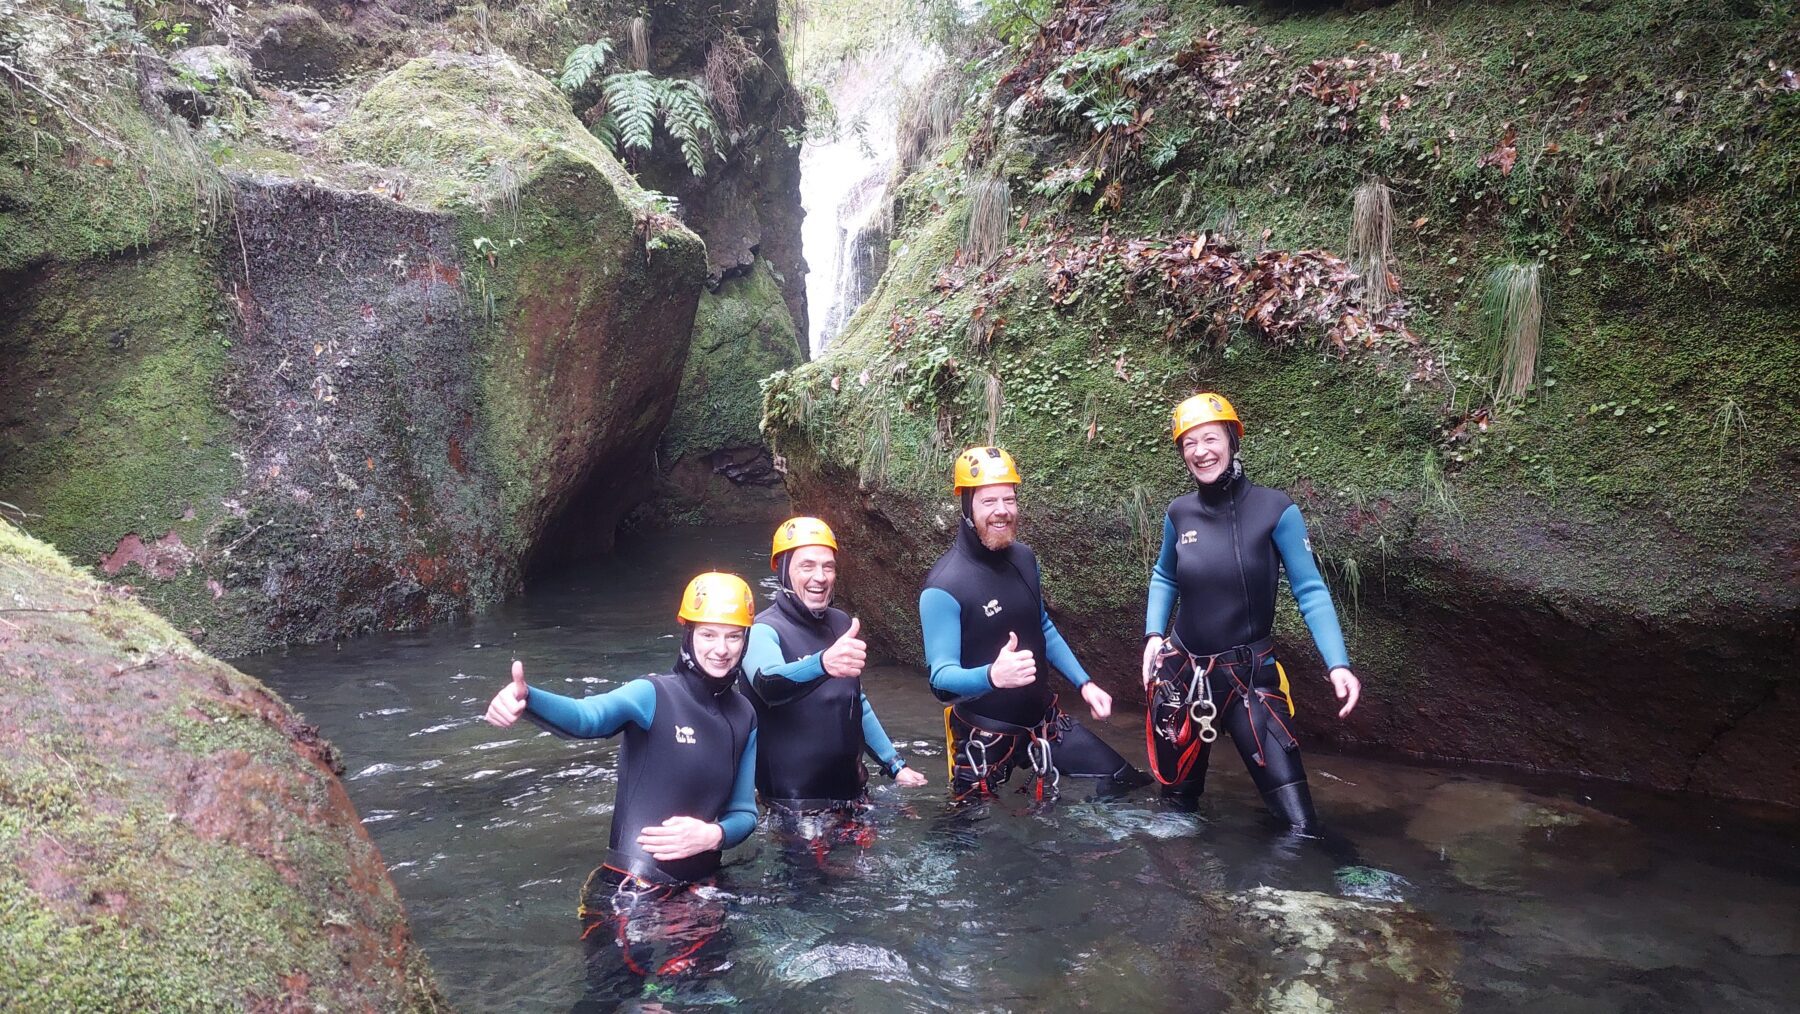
point(1223, 550)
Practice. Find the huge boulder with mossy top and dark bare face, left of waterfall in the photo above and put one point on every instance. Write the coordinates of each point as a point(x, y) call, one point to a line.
point(379, 388)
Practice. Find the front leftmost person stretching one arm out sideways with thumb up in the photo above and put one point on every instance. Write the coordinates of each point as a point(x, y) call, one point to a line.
point(687, 788)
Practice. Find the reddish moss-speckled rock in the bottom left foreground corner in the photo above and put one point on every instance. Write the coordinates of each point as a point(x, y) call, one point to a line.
point(172, 835)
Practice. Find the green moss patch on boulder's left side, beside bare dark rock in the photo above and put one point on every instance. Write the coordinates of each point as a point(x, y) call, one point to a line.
point(114, 430)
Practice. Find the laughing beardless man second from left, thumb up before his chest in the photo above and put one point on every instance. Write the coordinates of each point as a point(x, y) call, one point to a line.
point(804, 676)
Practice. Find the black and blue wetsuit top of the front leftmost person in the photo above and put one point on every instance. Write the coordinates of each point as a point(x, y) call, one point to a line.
point(690, 750)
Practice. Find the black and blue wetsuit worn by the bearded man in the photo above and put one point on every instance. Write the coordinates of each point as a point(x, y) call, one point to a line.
point(973, 601)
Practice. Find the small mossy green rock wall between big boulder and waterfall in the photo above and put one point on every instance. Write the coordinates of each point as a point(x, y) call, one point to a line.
point(741, 334)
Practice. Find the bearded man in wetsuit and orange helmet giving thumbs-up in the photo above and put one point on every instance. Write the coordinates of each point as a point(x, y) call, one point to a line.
point(987, 633)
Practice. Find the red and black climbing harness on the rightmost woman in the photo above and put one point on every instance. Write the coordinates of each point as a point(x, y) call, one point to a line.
point(1183, 712)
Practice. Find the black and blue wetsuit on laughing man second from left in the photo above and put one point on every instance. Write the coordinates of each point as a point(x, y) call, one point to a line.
point(813, 727)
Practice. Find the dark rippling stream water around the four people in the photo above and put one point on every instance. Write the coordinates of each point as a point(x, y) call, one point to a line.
point(1527, 894)
